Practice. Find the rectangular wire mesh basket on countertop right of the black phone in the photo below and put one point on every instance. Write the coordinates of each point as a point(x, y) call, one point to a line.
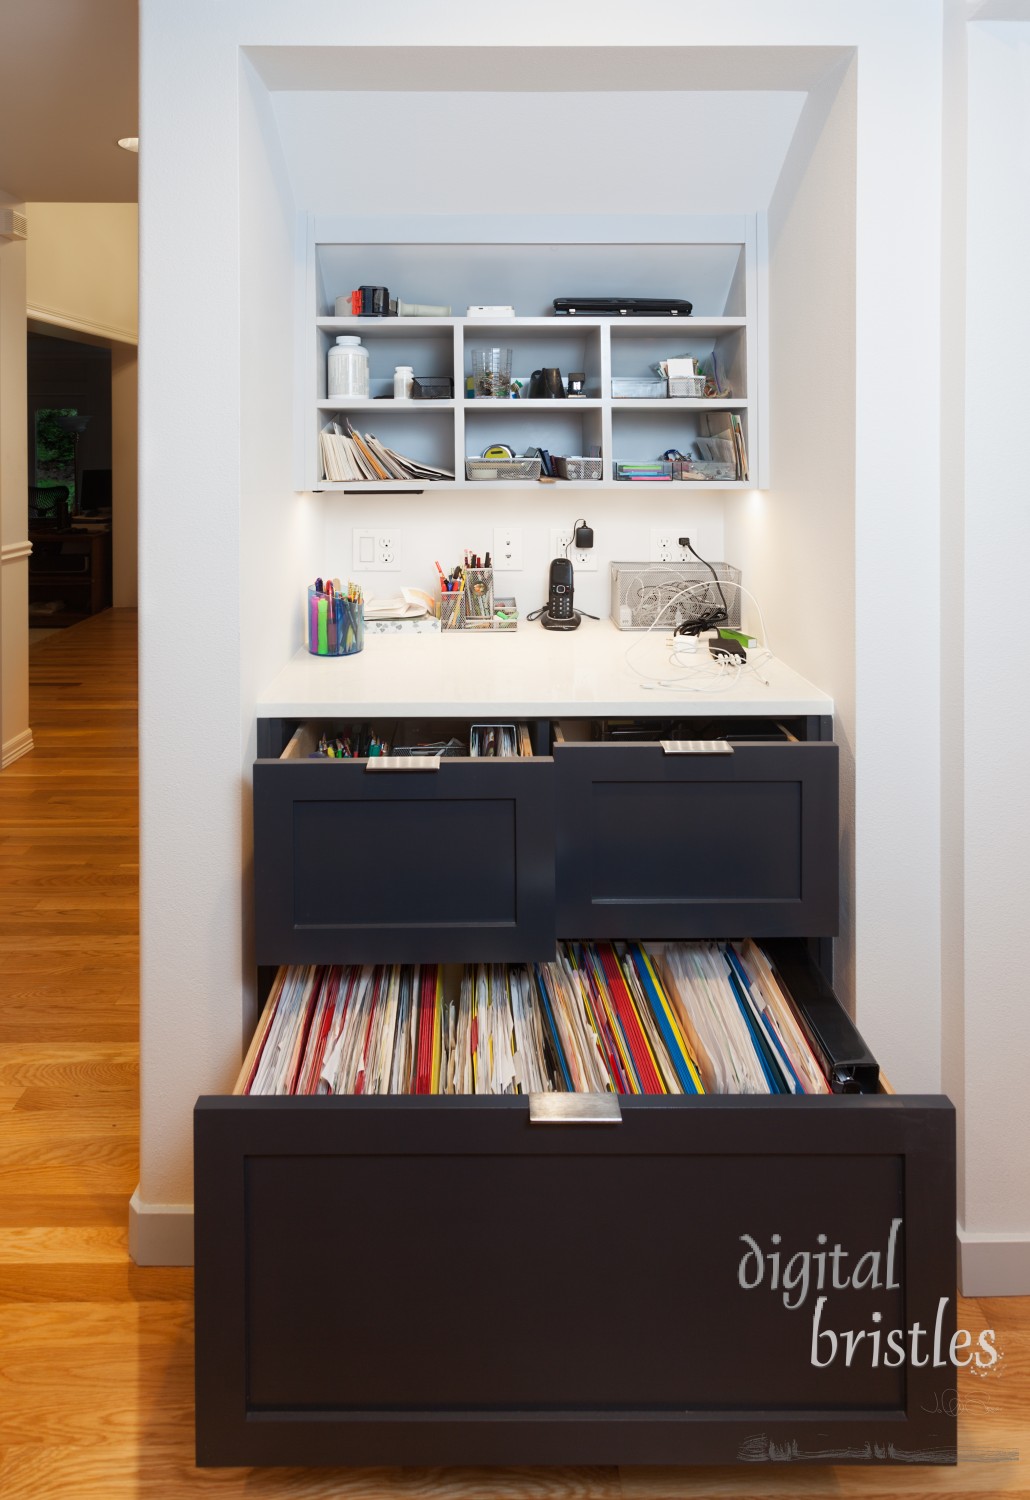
point(668, 595)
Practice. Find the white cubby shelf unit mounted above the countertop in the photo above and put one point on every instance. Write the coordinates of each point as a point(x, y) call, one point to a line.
point(612, 355)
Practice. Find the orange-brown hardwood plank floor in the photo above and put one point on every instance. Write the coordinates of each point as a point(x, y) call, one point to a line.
point(95, 1354)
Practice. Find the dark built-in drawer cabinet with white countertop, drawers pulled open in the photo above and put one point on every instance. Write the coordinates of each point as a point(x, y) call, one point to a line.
point(458, 1279)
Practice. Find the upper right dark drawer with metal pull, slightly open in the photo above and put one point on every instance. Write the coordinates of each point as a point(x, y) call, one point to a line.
point(690, 838)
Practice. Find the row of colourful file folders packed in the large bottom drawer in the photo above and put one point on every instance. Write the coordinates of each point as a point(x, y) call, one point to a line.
point(602, 1018)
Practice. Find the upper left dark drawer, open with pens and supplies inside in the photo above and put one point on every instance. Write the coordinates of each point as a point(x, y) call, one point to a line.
point(358, 859)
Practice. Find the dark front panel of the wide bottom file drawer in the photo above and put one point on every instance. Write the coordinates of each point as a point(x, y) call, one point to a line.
point(409, 1280)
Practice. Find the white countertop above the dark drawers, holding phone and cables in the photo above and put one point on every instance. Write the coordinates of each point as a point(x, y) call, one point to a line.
point(528, 673)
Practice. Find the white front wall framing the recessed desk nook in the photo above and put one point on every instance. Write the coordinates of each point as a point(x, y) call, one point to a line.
point(193, 398)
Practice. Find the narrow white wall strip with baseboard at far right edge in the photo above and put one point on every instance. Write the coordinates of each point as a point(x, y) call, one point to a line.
point(996, 710)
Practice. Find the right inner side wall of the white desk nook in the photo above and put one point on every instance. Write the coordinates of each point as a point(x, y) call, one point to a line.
point(797, 542)
